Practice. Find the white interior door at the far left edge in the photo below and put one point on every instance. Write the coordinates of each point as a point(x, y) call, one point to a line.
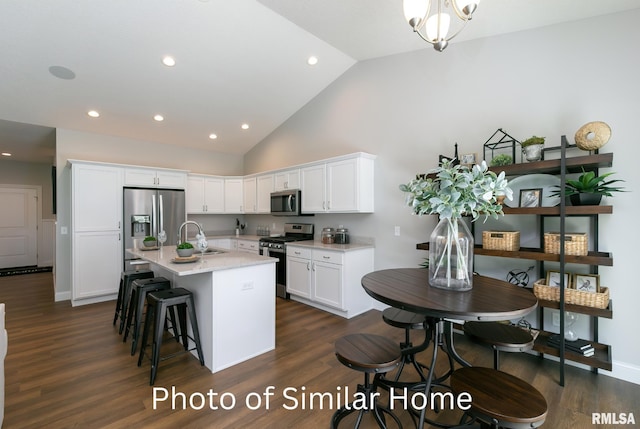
point(18, 227)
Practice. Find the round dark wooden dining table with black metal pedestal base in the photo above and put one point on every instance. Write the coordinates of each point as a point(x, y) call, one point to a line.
point(408, 289)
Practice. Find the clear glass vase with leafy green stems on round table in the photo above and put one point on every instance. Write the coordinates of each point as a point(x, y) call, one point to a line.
point(452, 191)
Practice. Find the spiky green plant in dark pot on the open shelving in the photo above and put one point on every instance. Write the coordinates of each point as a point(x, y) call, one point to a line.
point(589, 189)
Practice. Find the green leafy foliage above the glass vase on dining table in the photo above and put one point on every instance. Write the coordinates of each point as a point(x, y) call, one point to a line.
point(457, 190)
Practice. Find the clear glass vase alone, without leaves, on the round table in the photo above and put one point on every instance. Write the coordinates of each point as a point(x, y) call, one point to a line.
point(451, 255)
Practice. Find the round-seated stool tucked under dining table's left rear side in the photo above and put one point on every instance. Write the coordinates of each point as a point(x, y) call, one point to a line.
point(407, 320)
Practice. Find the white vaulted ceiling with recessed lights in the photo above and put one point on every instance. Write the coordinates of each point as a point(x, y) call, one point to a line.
point(237, 62)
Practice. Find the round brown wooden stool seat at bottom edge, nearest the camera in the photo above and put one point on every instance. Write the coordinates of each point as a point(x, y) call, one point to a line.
point(500, 399)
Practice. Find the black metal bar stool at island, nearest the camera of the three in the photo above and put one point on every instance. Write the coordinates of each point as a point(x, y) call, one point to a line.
point(158, 303)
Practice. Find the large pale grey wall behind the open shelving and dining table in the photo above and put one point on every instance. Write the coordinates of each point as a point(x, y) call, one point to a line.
point(408, 108)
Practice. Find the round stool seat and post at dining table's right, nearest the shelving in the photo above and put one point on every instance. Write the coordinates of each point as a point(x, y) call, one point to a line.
point(499, 336)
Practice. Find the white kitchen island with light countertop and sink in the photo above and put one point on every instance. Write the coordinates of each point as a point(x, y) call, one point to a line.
point(234, 294)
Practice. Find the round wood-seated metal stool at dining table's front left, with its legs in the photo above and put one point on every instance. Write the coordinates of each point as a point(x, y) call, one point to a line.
point(370, 354)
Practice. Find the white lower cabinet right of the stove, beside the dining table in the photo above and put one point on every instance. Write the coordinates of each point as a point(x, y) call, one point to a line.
point(330, 279)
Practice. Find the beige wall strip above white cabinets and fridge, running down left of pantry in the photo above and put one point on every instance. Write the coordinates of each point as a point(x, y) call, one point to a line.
point(95, 147)
